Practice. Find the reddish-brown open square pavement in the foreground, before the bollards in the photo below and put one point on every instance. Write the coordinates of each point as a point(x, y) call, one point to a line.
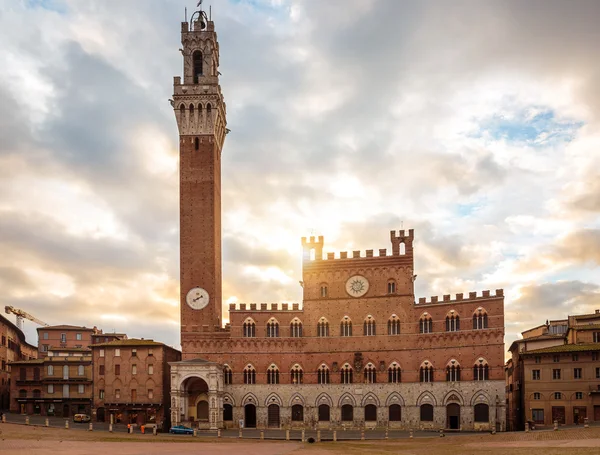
point(21, 439)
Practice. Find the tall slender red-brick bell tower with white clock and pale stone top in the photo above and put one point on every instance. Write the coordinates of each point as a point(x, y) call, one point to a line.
point(201, 118)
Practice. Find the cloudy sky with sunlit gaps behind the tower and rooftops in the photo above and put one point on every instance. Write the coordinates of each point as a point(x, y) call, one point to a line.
point(475, 123)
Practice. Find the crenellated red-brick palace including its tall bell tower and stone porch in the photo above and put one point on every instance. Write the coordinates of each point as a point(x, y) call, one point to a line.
point(359, 351)
